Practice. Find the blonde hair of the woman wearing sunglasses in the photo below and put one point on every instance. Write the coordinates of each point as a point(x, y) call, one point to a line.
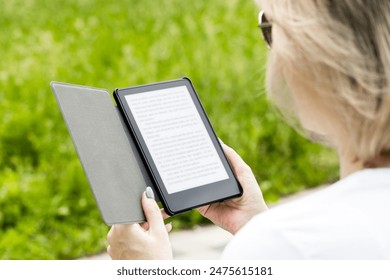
point(342, 48)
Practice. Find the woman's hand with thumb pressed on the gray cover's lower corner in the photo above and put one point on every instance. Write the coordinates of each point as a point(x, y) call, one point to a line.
point(148, 240)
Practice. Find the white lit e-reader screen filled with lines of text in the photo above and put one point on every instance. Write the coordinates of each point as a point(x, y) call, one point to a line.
point(176, 138)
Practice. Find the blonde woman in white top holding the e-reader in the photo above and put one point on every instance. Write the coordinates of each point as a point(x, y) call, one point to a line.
point(330, 63)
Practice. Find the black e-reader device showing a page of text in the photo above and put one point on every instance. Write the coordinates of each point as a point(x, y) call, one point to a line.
point(178, 145)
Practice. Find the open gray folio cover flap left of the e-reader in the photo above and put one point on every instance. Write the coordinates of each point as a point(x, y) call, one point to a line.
point(106, 150)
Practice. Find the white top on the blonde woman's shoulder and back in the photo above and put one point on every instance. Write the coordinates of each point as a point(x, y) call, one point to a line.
point(348, 220)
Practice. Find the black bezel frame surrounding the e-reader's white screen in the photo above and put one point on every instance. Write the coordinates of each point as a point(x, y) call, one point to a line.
point(181, 201)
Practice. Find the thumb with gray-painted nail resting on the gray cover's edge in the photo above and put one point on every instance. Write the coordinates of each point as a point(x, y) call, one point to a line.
point(152, 212)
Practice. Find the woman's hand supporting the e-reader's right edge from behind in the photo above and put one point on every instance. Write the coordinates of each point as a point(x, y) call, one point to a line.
point(231, 215)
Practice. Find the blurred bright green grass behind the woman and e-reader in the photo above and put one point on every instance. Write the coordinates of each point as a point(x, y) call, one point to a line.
point(46, 207)
